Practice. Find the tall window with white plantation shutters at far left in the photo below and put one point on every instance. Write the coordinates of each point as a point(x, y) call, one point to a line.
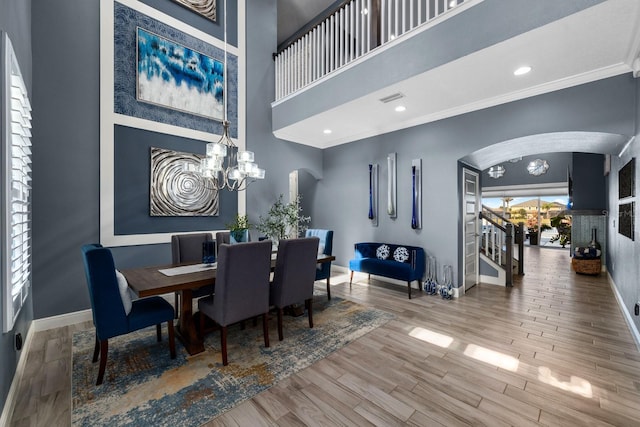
point(16, 187)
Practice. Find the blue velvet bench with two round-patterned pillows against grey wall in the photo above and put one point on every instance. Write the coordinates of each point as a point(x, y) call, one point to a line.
point(400, 262)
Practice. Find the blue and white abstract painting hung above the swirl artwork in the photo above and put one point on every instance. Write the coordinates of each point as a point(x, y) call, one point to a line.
point(174, 76)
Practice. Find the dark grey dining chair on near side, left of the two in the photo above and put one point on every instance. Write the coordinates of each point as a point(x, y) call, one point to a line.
point(242, 289)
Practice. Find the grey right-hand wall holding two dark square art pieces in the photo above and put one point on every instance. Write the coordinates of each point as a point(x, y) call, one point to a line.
point(622, 262)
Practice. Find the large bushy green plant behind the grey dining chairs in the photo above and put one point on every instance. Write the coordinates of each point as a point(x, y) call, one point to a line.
point(284, 220)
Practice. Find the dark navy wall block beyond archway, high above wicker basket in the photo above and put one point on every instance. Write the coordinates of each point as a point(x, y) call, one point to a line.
point(589, 187)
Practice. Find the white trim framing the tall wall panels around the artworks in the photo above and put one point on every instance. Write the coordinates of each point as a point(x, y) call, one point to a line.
point(108, 118)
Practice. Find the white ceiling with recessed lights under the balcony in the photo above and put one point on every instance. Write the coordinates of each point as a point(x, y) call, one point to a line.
point(596, 43)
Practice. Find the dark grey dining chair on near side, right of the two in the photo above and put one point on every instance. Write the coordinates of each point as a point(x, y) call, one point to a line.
point(294, 276)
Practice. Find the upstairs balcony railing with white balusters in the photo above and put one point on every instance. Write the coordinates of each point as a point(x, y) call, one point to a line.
point(351, 31)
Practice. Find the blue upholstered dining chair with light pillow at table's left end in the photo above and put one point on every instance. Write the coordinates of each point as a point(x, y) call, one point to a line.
point(110, 316)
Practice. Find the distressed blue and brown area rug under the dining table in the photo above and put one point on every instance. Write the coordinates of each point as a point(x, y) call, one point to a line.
point(144, 387)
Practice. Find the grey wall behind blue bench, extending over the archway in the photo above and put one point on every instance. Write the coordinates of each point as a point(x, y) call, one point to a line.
point(602, 106)
